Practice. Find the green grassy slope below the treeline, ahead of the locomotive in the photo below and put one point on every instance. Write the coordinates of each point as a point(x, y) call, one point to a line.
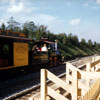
point(73, 51)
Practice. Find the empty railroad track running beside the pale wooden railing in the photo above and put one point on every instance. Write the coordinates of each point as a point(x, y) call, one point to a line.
point(34, 91)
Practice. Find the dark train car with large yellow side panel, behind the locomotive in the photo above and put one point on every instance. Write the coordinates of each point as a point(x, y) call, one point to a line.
point(13, 50)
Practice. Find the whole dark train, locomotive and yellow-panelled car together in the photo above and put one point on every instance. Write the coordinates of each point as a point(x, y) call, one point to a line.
point(16, 52)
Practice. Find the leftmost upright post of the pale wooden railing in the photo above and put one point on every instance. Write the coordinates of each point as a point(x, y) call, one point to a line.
point(43, 84)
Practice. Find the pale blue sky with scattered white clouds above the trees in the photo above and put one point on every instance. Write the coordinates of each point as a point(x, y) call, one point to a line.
point(79, 17)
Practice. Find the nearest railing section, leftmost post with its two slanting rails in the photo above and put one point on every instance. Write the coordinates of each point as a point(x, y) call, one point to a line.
point(46, 90)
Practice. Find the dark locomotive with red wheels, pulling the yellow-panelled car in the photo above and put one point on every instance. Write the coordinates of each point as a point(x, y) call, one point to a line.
point(51, 57)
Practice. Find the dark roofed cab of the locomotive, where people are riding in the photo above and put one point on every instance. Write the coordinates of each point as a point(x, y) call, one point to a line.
point(40, 56)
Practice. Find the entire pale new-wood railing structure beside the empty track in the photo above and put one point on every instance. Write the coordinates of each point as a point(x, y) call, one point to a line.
point(76, 85)
